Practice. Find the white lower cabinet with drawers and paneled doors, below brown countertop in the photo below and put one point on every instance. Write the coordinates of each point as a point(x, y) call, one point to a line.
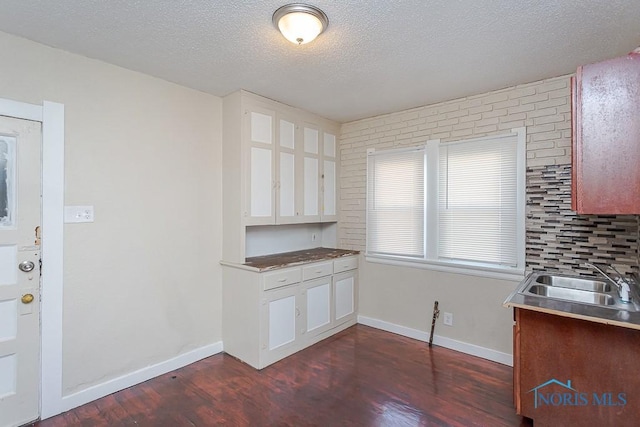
point(269, 316)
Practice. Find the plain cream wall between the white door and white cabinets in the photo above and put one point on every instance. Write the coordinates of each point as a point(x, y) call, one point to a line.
point(142, 283)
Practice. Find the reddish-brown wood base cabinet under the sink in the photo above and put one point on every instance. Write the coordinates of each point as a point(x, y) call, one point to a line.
point(575, 372)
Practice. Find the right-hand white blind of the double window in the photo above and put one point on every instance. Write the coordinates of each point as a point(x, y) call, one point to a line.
point(477, 203)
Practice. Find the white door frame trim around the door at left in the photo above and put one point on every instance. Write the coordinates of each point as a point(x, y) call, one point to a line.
point(51, 115)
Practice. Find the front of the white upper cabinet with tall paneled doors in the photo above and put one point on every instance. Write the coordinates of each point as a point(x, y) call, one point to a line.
point(293, 180)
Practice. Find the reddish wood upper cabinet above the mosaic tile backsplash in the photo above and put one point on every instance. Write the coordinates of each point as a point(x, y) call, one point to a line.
point(606, 137)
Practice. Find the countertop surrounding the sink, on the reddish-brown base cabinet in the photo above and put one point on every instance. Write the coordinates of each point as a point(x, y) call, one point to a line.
point(592, 313)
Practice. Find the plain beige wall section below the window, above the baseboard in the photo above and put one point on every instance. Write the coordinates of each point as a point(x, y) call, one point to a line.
point(403, 297)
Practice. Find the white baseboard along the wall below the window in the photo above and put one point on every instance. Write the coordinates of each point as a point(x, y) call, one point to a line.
point(471, 349)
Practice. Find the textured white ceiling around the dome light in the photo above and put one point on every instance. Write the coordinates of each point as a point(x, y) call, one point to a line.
point(376, 56)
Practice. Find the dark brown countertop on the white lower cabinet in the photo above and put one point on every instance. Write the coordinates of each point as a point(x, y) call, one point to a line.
point(289, 259)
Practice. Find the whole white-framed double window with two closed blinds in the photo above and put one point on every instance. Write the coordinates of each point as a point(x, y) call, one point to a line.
point(471, 213)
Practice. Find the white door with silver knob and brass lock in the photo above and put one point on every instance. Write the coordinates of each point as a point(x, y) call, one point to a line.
point(20, 142)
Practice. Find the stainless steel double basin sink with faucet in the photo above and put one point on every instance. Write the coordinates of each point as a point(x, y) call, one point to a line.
point(579, 290)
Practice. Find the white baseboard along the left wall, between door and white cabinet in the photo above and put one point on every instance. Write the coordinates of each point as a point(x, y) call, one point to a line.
point(141, 375)
